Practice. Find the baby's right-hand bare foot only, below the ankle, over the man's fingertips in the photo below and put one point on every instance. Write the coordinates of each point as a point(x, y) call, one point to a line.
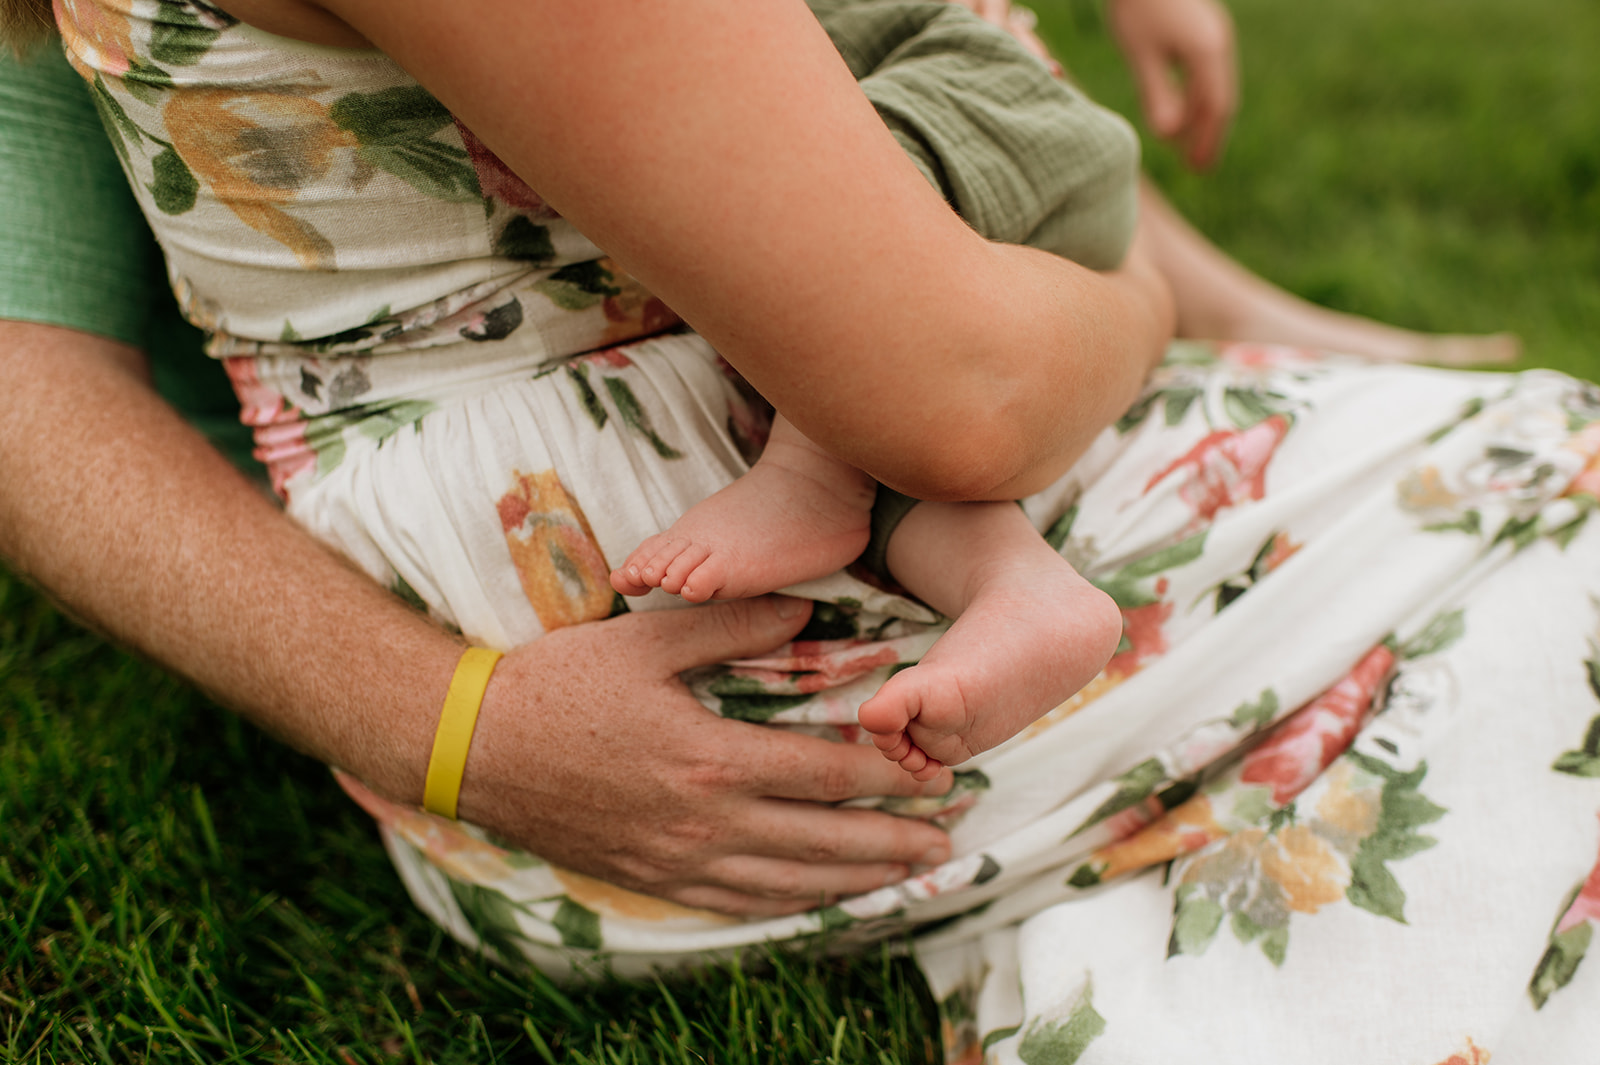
point(1028, 640)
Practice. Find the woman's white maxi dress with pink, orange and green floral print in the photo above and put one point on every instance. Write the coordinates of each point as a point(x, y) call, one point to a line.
point(1337, 797)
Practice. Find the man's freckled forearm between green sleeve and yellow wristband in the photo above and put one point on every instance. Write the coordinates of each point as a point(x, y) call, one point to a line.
point(138, 527)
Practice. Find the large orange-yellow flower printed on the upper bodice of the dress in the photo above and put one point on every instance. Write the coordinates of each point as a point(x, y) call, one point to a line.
point(257, 151)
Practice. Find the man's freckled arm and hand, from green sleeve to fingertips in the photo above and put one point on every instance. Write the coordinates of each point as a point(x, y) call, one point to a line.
point(590, 751)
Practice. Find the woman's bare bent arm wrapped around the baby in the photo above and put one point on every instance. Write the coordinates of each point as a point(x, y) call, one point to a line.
point(726, 158)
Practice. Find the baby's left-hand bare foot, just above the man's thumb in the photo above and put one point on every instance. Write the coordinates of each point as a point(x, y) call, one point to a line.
point(799, 514)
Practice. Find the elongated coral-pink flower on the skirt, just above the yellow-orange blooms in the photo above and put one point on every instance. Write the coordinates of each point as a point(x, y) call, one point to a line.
point(1300, 748)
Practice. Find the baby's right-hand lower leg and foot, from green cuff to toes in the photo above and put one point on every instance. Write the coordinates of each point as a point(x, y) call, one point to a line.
point(1028, 634)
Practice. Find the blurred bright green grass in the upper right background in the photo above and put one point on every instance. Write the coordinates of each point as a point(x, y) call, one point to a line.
point(1431, 164)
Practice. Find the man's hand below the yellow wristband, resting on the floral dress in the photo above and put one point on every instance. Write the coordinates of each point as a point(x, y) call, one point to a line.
point(591, 752)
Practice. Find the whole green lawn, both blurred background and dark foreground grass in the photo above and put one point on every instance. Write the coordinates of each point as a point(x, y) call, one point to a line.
point(177, 888)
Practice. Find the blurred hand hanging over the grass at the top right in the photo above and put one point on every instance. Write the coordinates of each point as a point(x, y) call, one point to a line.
point(1183, 58)
